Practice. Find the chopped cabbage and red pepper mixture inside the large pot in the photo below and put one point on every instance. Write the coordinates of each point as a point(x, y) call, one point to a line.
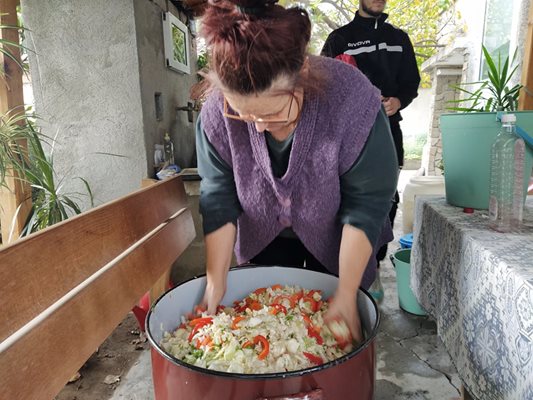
point(274, 329)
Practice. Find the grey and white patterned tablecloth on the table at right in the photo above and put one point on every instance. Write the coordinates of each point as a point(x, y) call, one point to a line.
point(478, 286)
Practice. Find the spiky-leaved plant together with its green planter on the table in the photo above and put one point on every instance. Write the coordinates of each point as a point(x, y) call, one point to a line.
point(468, 134)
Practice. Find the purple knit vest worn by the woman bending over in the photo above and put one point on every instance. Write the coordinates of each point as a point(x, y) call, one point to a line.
point(333, 128)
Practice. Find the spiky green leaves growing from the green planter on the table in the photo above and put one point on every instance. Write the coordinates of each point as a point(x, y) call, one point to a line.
point(493, 94)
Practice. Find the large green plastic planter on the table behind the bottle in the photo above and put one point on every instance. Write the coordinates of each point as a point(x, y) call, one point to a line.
point(466, 143)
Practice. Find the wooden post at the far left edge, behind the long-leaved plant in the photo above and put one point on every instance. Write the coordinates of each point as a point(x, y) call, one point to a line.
point(16, 193)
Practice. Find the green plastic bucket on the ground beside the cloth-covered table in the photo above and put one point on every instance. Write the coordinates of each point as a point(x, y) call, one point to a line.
point(401, 261)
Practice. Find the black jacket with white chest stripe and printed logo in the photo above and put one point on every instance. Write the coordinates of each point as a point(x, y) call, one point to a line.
point(382, 52)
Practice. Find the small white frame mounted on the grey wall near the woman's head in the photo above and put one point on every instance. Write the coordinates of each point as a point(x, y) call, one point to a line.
point(177, 45)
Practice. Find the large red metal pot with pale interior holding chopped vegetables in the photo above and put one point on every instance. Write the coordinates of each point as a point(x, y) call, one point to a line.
point(349, 377)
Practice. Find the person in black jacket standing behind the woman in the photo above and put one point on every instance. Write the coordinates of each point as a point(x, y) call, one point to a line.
point(385, 55)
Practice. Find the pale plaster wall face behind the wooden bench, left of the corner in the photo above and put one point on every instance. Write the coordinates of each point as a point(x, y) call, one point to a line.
point(85, 76)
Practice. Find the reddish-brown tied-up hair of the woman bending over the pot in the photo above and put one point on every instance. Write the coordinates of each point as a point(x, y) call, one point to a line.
point(253, 42)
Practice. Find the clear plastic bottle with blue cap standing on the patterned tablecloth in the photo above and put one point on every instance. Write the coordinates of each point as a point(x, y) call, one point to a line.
point(506, 203)
